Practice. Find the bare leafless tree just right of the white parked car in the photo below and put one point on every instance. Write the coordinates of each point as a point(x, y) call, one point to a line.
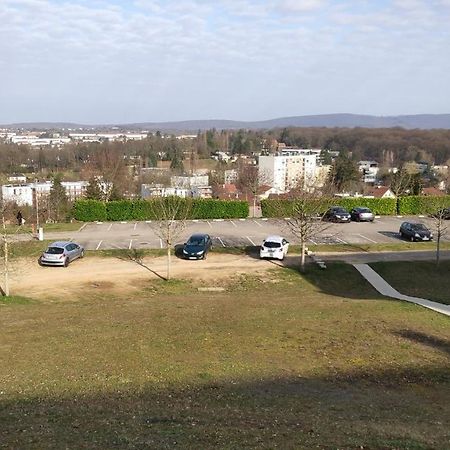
point(304, 210)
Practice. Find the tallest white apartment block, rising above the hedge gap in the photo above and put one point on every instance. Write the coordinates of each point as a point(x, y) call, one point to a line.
point(288, 169)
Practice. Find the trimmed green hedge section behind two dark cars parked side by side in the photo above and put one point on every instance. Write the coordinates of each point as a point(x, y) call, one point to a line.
point(379, 206)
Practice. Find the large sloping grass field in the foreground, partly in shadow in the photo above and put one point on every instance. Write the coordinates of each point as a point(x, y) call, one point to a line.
point(279, 361)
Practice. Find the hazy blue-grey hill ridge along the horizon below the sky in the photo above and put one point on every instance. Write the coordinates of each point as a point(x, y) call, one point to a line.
point(419, 121)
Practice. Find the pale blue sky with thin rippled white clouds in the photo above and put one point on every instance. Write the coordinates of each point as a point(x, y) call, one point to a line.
point(118, 61)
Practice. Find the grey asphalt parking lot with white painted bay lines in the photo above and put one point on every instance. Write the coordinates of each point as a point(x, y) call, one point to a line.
point(232, 233)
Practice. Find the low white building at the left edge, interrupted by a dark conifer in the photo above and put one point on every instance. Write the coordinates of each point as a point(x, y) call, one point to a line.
point(25, 194)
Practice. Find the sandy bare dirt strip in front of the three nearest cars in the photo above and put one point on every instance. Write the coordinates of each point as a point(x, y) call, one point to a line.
point(121, 275)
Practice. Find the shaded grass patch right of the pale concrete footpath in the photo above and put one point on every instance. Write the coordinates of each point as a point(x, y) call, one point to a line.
point(418, 278)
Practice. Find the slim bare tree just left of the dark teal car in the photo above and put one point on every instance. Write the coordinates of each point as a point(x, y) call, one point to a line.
point(170, 215)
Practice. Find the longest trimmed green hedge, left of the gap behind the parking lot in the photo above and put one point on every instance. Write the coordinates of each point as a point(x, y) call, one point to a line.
point(95, 210)
